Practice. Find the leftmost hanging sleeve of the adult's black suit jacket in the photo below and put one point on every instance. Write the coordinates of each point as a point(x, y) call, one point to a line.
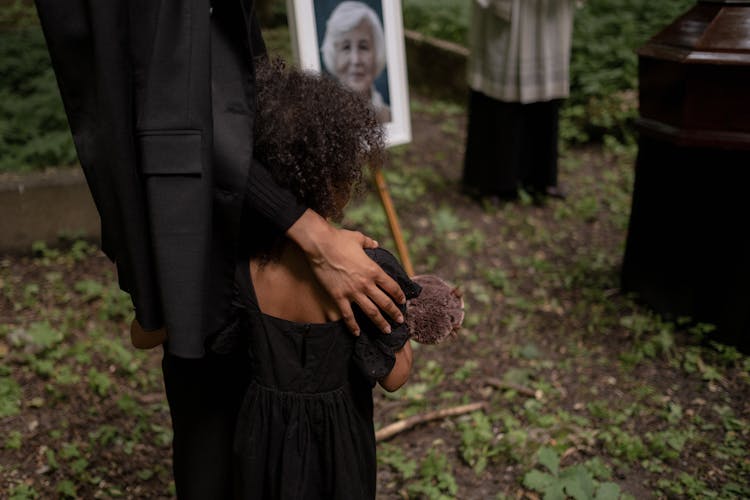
point(91, 63)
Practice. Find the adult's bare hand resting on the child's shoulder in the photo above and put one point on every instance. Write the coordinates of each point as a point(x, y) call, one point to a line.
point(346, 272)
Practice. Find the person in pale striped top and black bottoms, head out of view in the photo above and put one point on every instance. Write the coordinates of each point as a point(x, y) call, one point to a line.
point(518, 74)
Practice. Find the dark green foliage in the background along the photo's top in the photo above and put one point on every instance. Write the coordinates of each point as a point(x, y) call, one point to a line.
point(601, 108)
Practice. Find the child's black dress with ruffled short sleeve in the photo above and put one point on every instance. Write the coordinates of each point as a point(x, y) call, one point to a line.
point(305, 429)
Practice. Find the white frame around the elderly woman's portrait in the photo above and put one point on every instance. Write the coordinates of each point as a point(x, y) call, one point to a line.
point(306, 43)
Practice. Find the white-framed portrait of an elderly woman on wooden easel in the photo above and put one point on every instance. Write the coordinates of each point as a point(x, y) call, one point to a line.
point(360, 43)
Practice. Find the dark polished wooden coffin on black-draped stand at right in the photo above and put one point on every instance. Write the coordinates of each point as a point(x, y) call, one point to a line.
point(688, 245)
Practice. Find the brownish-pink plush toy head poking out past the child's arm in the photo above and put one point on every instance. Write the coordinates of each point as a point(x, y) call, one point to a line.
point(437, 313)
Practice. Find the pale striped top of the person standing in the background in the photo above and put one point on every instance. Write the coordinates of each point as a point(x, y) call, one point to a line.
point(520, 49)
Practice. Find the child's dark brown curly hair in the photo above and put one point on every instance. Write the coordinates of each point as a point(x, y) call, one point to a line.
point(314, 135)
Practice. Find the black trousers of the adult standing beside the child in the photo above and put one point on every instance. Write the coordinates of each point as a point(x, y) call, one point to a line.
point(204, 398)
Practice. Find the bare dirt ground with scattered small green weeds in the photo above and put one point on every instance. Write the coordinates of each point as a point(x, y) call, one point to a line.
point(562, 360)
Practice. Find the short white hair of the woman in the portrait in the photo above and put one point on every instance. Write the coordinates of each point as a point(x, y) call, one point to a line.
point(345, 17)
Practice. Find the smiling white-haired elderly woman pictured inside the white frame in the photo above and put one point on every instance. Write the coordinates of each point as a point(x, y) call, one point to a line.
point(353, 51)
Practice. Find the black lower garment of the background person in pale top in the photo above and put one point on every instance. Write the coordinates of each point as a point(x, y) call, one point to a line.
point(510, 145)
